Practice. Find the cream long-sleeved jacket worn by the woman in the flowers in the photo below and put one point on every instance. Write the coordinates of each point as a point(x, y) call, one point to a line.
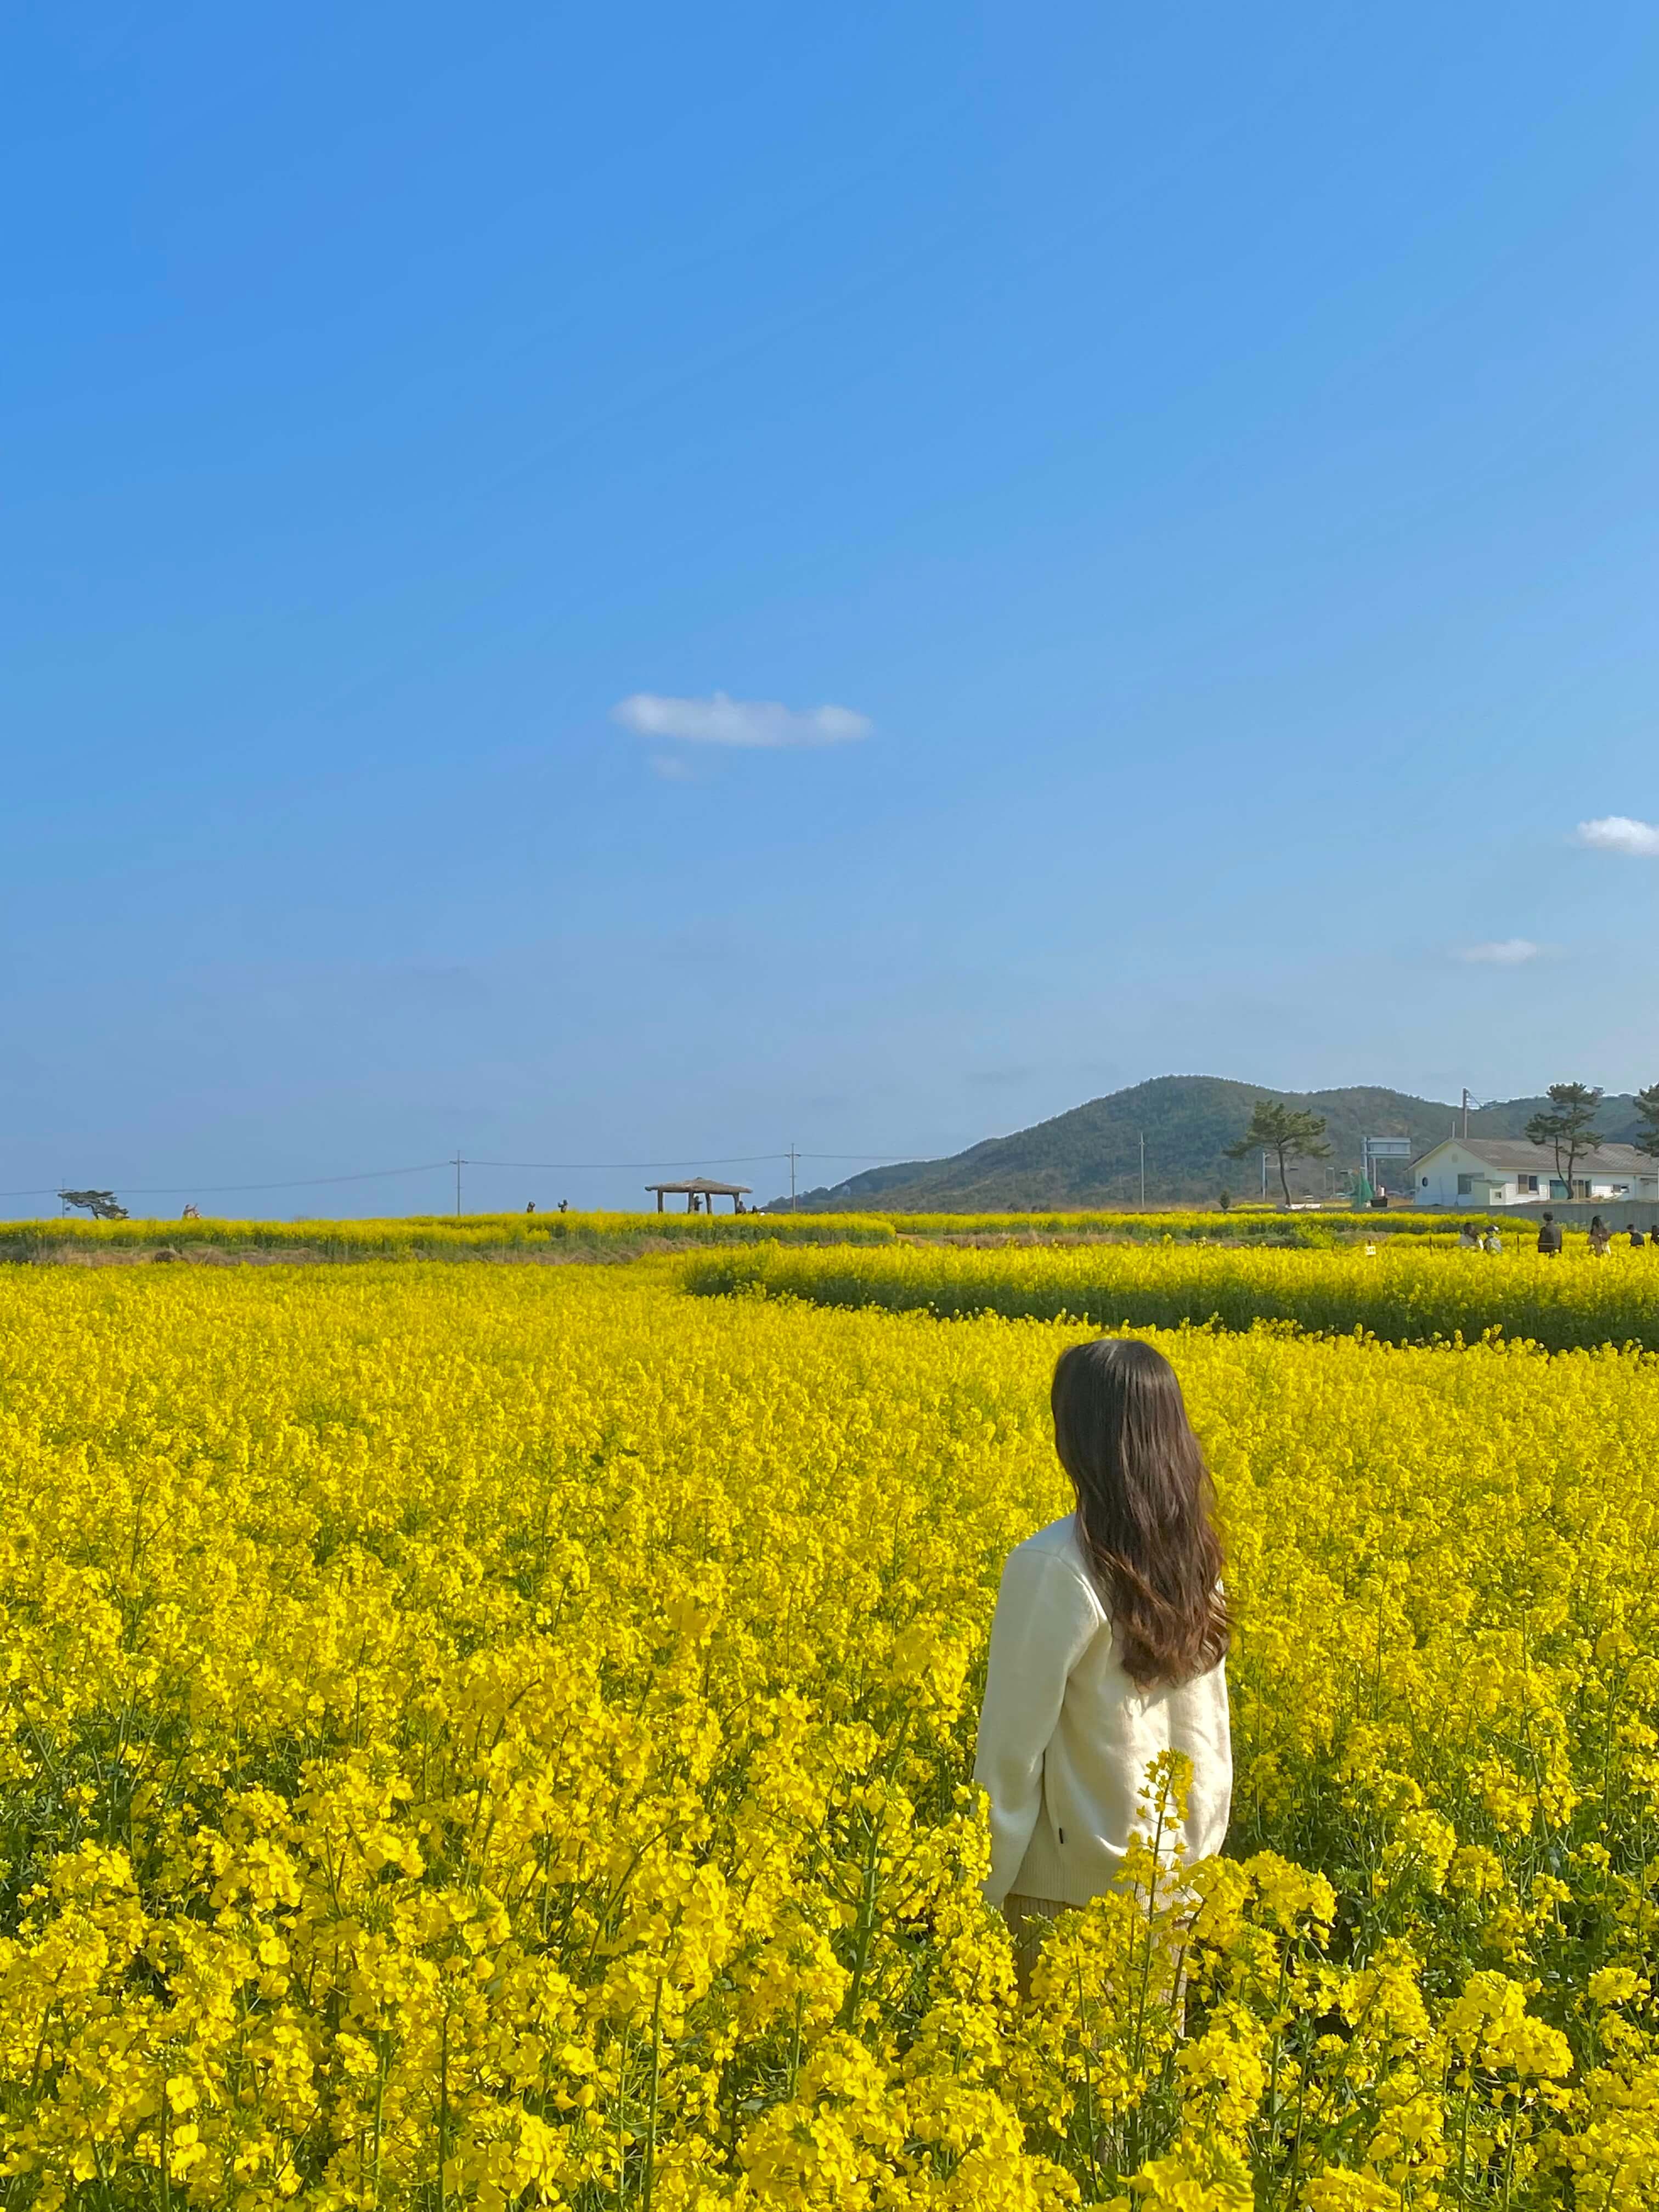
point(1067, 1735)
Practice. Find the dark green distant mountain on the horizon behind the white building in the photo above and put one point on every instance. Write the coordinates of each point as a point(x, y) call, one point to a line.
point(1092, 1156)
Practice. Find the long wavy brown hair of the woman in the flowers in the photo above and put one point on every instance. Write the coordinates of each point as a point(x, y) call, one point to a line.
point(1145, 1507)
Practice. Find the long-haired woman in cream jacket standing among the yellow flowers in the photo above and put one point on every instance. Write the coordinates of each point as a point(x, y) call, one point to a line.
point(1107, 1649)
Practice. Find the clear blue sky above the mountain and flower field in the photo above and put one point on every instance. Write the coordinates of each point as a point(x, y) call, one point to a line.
point(1209, 461)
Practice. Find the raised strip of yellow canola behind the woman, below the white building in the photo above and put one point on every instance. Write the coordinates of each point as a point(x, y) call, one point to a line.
point(1395, 1291)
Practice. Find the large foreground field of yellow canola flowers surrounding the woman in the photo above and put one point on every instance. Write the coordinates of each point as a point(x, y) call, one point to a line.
point(501, 1738)
